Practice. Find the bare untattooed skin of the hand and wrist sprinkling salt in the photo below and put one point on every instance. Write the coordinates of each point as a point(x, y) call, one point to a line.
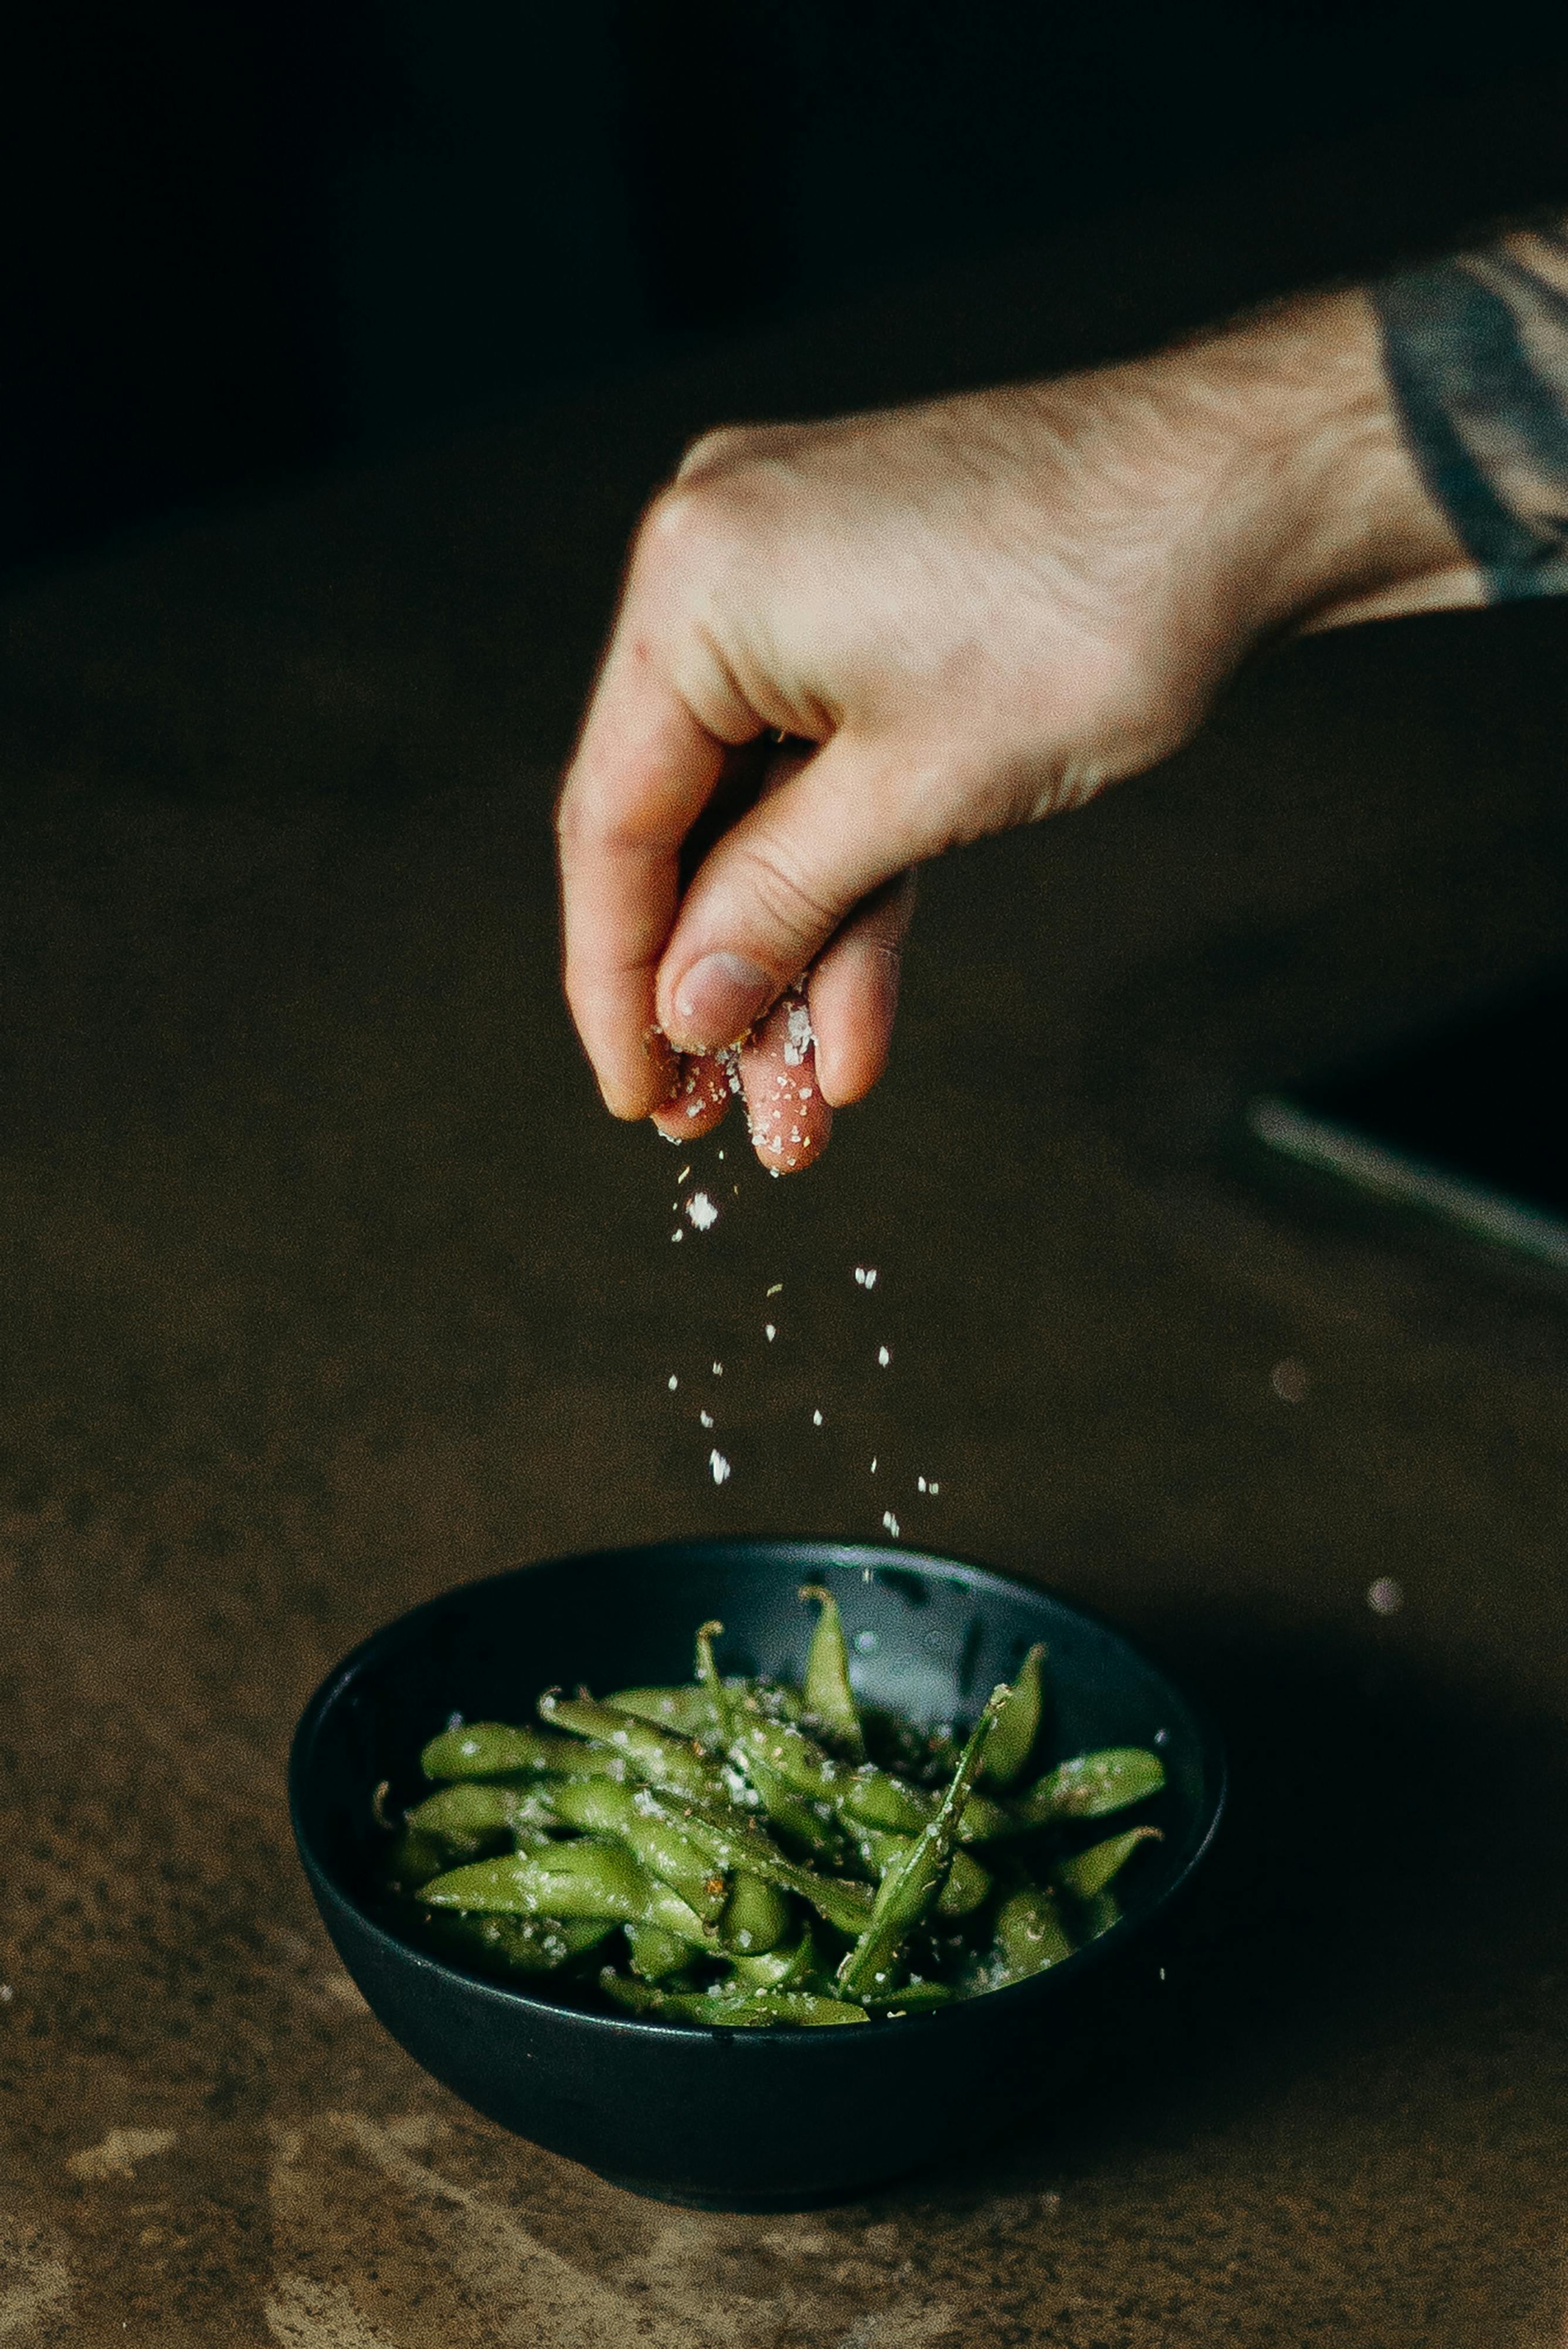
point(959, 617)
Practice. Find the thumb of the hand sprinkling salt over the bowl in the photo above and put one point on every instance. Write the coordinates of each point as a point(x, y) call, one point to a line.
point(776, 889)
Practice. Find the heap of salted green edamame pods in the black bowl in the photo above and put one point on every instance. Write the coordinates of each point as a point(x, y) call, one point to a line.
point(731, 1845)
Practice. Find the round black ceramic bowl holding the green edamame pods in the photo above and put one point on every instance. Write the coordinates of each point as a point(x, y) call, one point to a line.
point(736, 2120)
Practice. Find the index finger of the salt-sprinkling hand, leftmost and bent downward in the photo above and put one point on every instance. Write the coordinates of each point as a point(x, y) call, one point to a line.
point(644, 772)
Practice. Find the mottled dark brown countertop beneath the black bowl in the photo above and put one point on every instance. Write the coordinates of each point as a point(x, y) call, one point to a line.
point(327, 1286)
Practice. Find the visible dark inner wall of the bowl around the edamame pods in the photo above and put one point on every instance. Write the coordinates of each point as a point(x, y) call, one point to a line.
point(928, 1638)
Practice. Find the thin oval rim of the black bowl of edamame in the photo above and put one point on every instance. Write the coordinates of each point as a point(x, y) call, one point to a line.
point(762, 1549)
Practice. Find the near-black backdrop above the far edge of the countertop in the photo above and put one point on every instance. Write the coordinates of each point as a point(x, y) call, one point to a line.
point(262, 236)
